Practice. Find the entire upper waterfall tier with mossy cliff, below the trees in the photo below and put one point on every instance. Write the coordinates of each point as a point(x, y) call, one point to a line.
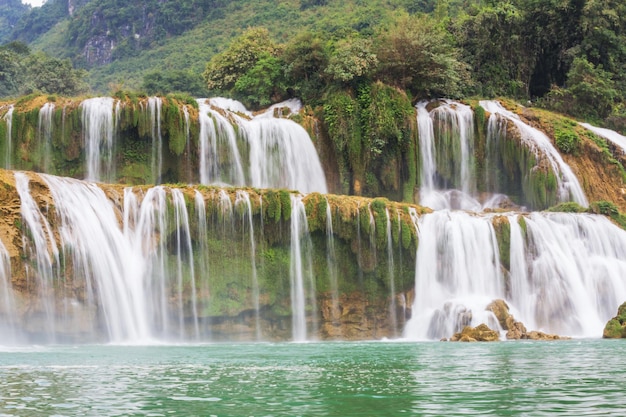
point(441, 153)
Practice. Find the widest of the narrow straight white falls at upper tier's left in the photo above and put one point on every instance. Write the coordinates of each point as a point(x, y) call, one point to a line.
point(98, 131)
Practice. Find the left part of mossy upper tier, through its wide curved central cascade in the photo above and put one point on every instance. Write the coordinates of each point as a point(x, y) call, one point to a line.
point(156, 140)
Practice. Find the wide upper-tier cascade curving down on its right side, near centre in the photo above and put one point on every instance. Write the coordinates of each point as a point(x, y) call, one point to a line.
point(264, 151)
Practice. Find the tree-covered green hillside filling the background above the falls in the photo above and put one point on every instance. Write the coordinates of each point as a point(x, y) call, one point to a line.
point(571, 54)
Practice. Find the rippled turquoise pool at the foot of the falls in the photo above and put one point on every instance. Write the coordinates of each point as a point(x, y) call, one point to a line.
point(581, 378)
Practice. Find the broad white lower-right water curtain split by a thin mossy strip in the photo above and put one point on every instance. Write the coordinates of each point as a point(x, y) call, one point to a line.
point(566, 278)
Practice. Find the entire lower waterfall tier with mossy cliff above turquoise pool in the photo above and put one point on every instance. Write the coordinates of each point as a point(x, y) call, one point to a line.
point(83, 262)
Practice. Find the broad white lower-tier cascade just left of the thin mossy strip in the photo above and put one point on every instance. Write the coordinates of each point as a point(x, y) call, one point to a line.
point(457, 274)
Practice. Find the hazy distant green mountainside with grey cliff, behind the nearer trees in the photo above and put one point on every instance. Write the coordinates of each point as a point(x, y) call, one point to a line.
point(119, 41)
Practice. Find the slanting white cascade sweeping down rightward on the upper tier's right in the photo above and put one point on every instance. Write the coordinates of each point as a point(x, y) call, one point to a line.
point(540, 144)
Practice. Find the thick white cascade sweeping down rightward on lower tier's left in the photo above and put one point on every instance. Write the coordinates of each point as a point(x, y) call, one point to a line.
point(101, 256)
